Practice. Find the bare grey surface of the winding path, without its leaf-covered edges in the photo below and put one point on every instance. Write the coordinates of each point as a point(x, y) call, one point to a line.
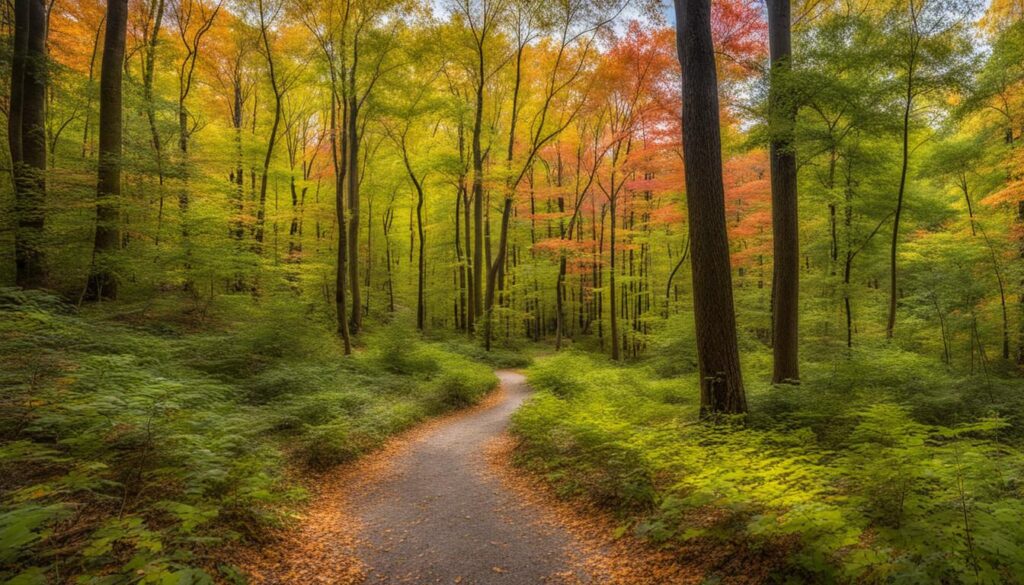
point(440, 518)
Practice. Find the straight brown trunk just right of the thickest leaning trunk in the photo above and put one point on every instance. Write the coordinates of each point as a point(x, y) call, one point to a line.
point(786, 230)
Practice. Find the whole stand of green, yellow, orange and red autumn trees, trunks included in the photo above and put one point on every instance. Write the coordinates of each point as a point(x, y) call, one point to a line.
point(534, 187)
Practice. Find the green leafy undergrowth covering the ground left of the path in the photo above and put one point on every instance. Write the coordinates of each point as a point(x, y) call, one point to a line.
point(133, 453)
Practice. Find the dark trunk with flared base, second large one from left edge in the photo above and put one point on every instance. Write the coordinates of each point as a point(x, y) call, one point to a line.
point(103, 282)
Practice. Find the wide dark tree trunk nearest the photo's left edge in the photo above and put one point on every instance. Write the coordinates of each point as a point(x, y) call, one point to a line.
point(31, 178)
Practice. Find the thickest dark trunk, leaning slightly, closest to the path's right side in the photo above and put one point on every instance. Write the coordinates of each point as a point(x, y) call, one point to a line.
point(718, 353)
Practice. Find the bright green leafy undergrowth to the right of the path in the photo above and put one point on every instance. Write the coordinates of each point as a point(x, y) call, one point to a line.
point(886, 469)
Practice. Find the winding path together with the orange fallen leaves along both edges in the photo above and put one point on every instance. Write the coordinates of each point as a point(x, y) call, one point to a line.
point(443, 505)
